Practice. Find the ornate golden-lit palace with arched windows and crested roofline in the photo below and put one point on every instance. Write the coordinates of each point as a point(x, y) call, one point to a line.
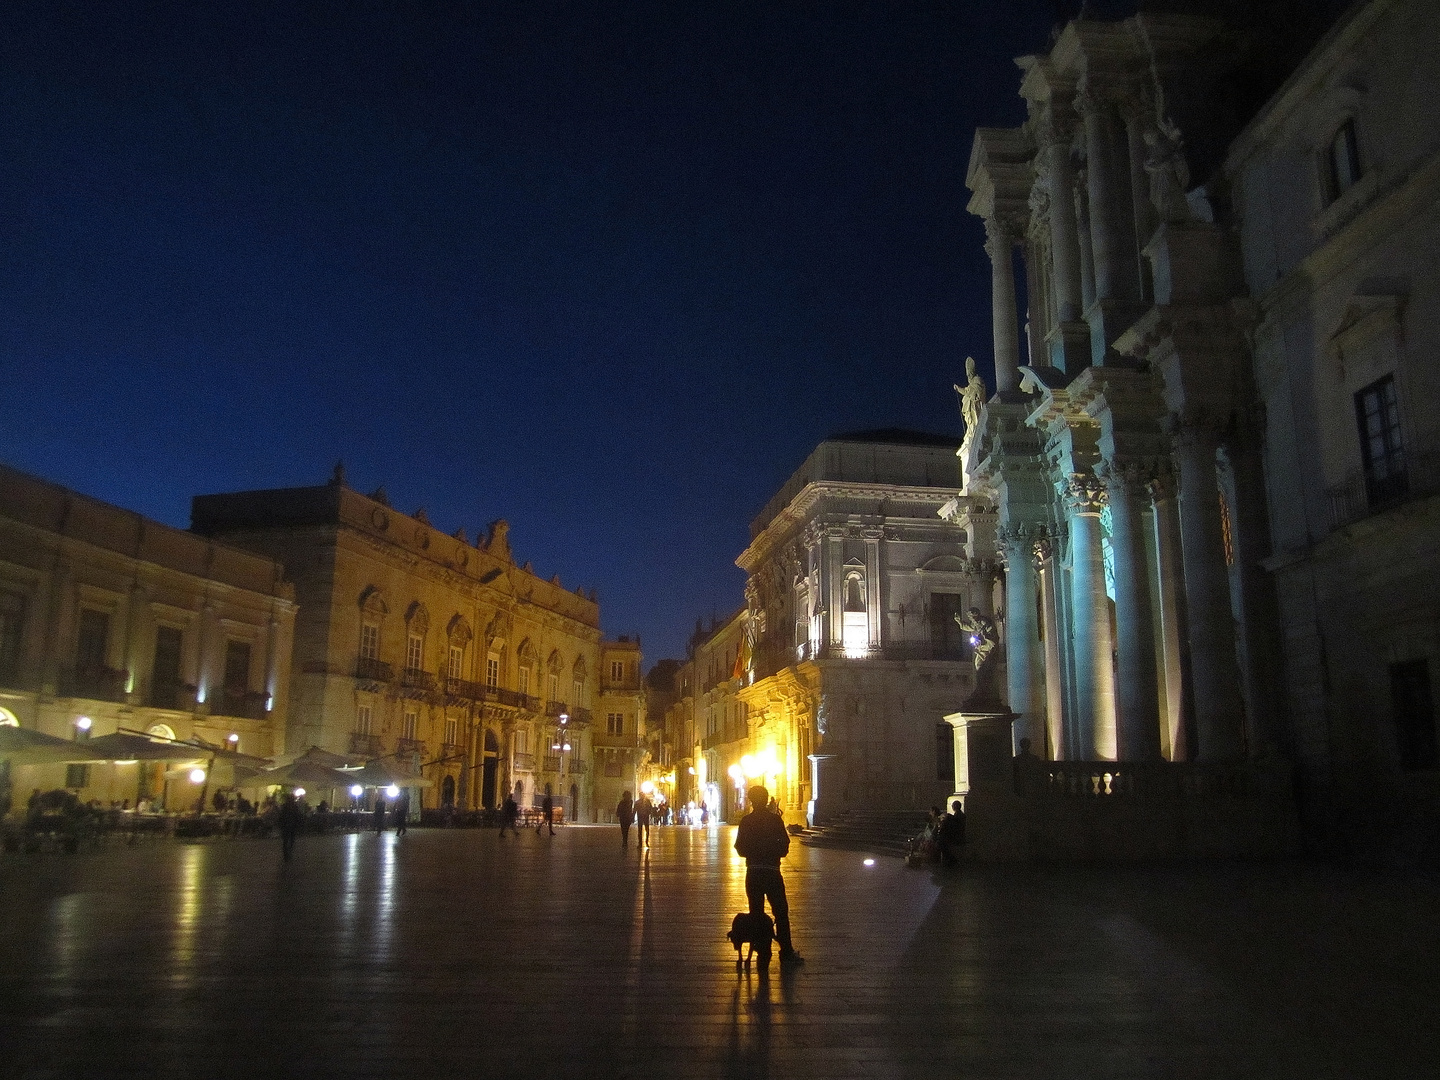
point(426, 649)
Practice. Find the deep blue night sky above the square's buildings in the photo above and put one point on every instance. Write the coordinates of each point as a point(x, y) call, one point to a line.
point(608, 271)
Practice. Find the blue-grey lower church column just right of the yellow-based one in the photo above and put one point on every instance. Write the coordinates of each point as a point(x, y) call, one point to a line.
point(1140, 722)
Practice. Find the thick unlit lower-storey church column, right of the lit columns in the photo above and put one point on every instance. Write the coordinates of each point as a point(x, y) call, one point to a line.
point(1210, 618)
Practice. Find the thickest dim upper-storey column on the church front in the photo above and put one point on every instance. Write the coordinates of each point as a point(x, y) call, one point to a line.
point(1112, 215)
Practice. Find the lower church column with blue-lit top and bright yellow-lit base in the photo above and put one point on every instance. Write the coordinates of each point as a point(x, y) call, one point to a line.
point(1091, 610)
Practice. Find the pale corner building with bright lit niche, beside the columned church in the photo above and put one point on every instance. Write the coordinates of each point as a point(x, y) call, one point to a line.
point(852, 654)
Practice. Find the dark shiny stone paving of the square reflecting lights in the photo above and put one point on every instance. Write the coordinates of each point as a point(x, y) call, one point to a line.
point(456, 954)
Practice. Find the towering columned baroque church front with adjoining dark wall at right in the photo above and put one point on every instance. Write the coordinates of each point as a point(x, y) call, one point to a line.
point(1209, 453)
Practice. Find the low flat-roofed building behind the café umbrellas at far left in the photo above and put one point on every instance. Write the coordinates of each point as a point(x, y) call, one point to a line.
point(112, 621)
